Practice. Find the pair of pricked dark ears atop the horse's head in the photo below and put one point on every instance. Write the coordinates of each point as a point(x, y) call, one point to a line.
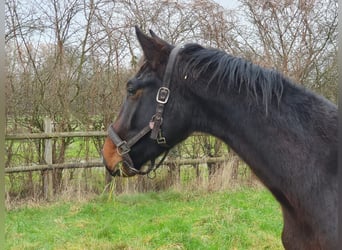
point(155, 49)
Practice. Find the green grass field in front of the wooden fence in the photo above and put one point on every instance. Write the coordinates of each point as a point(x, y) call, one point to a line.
point(242, 219)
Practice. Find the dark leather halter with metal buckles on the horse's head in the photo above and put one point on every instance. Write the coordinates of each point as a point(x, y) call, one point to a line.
point(124, 147)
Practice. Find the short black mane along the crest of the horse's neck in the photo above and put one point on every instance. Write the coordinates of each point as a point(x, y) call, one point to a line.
point(229, 72)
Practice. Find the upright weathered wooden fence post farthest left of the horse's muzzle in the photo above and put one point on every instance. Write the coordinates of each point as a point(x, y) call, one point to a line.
point(47, 174)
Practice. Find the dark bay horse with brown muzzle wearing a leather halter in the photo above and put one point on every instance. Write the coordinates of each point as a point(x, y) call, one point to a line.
point(285, 133)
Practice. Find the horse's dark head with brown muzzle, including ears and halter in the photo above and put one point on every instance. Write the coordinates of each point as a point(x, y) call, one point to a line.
point(154, 116)
